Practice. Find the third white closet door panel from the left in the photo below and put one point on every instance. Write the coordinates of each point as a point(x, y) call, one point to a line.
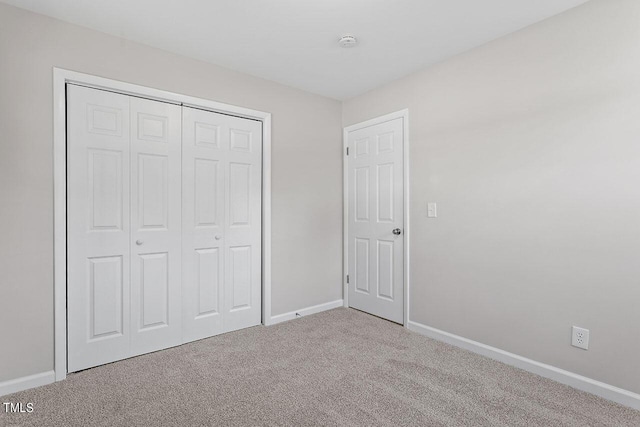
point(204, 158)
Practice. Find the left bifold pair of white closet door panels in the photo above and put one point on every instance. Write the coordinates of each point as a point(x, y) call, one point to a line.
point(124, 226)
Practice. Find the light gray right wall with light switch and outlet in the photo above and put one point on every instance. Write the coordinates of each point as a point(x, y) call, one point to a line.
point(530, 145)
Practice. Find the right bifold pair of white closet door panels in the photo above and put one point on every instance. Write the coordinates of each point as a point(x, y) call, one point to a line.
point(222, 223)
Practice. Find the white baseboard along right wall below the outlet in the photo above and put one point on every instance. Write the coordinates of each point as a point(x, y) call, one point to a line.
point(616, 394)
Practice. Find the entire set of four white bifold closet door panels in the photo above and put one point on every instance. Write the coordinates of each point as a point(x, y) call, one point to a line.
point(163, 225)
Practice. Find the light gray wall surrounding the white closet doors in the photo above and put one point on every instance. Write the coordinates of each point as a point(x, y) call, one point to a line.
point(306, 181)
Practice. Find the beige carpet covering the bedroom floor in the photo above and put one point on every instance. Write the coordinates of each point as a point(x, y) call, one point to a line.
point(337, 368)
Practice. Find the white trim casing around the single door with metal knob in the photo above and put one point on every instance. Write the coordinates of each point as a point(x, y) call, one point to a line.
point(404, 115)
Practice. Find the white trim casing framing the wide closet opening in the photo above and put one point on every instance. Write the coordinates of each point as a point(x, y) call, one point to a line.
point(60, 78)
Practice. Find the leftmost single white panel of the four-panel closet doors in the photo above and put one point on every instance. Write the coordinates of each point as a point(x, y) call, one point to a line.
point(98, 227)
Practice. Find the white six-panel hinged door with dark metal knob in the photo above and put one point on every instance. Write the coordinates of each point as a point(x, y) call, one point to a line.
point(376, 219)
